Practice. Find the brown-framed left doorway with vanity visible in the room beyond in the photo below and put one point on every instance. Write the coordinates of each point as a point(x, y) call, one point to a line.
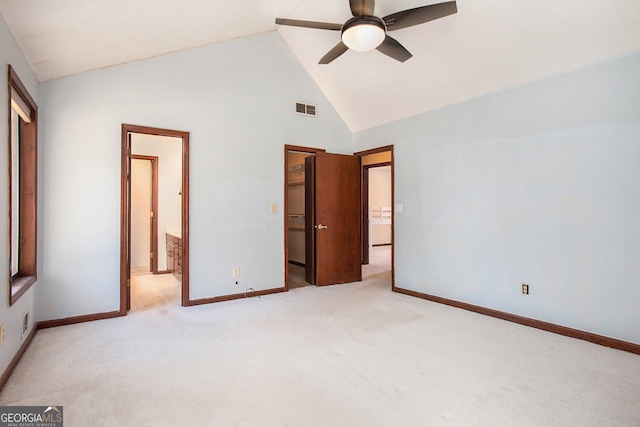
point(154, 208)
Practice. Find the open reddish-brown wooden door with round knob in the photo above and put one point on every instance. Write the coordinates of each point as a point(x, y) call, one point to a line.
point(333, 221)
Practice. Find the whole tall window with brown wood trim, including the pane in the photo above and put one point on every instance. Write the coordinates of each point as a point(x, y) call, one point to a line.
point(23, 183)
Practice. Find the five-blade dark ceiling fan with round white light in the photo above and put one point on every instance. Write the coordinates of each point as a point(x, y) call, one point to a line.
point(365, 31)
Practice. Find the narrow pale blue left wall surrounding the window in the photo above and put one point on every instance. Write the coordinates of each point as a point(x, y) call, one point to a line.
point(12, 316)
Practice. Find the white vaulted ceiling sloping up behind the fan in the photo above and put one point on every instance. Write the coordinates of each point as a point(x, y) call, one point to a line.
point(487, 46)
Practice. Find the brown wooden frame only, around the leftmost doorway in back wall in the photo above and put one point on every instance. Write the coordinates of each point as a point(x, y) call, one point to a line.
point(125, 212)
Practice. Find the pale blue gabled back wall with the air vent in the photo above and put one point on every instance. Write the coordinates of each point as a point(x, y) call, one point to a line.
point(237, 101)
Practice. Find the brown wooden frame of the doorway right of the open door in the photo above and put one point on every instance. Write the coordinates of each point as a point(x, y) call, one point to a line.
point(365, 204)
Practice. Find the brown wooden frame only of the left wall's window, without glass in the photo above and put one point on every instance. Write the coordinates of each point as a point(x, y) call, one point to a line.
point(28, 191)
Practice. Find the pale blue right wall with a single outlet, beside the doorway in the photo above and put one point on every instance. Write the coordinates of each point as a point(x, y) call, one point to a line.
point(538, 184)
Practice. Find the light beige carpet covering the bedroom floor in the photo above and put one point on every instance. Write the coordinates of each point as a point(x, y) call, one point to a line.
point(345, 355)
